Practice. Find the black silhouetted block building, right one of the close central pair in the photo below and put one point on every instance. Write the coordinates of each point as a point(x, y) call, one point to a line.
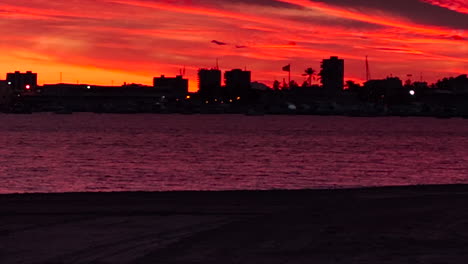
point(237, 82)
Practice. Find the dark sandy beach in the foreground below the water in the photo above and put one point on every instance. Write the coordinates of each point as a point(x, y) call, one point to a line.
point(385, 225)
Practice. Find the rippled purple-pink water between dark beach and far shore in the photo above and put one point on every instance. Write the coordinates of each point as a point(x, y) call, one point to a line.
point(92, 152)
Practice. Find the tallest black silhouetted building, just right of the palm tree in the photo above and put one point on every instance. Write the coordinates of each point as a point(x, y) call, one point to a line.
point(332, 75)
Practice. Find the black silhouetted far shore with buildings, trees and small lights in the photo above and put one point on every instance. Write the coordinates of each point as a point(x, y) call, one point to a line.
point(391, 96)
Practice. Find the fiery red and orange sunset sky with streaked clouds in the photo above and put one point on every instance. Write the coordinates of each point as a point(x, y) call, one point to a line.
point(105, 41)
